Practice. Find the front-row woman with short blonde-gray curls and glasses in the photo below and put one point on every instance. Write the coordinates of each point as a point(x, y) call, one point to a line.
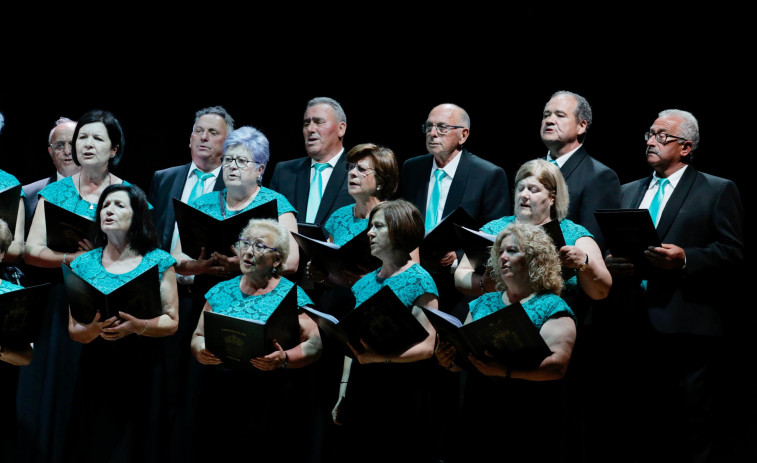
point(270, 401)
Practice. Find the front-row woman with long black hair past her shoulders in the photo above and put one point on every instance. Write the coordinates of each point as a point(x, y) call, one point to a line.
point(119, 402)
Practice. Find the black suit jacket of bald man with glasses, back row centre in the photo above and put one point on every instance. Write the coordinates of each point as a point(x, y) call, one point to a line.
point(479, 186)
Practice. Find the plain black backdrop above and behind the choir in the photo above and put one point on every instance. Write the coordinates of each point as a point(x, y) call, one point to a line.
point(388, 68)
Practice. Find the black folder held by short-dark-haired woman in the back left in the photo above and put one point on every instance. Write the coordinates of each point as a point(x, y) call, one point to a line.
point(65, 228)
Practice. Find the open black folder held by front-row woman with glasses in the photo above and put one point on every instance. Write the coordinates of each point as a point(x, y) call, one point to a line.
point(236, 341)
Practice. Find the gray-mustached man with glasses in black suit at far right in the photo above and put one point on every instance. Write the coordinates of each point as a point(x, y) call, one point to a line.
point(671, 358)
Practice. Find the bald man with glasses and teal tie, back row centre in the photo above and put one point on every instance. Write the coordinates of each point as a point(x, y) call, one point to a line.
point(479, 187)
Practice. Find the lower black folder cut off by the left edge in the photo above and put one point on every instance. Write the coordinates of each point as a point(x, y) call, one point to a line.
point(21, 314)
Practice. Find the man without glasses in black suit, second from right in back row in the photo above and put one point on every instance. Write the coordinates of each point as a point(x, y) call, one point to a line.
point(591, 185)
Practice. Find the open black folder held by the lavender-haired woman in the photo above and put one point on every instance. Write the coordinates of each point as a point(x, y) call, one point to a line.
point(198, 229)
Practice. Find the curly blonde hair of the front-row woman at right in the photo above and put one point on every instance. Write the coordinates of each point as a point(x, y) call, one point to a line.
point(544, 268)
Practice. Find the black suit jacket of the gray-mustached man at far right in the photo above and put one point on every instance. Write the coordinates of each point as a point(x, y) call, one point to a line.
point(704, 216)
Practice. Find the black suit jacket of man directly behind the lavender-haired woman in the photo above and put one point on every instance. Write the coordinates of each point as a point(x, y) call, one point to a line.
point(166, 185)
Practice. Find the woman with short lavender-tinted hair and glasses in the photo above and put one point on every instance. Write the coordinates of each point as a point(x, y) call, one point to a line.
point(245, 157)
